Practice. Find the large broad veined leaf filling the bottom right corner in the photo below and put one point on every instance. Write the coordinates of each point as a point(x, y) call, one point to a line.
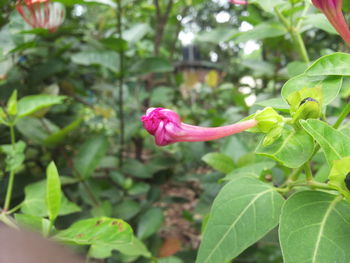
point(315, 228)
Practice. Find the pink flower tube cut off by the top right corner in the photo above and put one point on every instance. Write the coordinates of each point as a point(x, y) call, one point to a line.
point(333, 11)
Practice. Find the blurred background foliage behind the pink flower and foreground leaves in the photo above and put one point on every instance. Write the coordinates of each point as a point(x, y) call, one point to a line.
point(211, 61)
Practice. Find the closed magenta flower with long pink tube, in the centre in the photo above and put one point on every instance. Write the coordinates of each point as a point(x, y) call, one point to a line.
point(166, 126)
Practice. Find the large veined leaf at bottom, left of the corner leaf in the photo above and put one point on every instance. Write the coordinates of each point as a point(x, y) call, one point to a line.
point(243, 212)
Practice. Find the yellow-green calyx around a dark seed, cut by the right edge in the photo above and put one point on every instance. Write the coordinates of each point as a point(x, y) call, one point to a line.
point(338, 174)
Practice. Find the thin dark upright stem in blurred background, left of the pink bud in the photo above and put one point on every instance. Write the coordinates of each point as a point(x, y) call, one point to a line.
point(121, 83)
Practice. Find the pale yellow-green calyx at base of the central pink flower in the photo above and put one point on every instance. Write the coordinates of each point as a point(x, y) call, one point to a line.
point(268, 119)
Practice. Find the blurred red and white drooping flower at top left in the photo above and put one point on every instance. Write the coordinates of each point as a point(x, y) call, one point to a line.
point(41, 13)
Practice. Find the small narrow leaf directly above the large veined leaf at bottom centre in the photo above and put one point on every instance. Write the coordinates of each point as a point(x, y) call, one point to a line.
point(254, 169)
